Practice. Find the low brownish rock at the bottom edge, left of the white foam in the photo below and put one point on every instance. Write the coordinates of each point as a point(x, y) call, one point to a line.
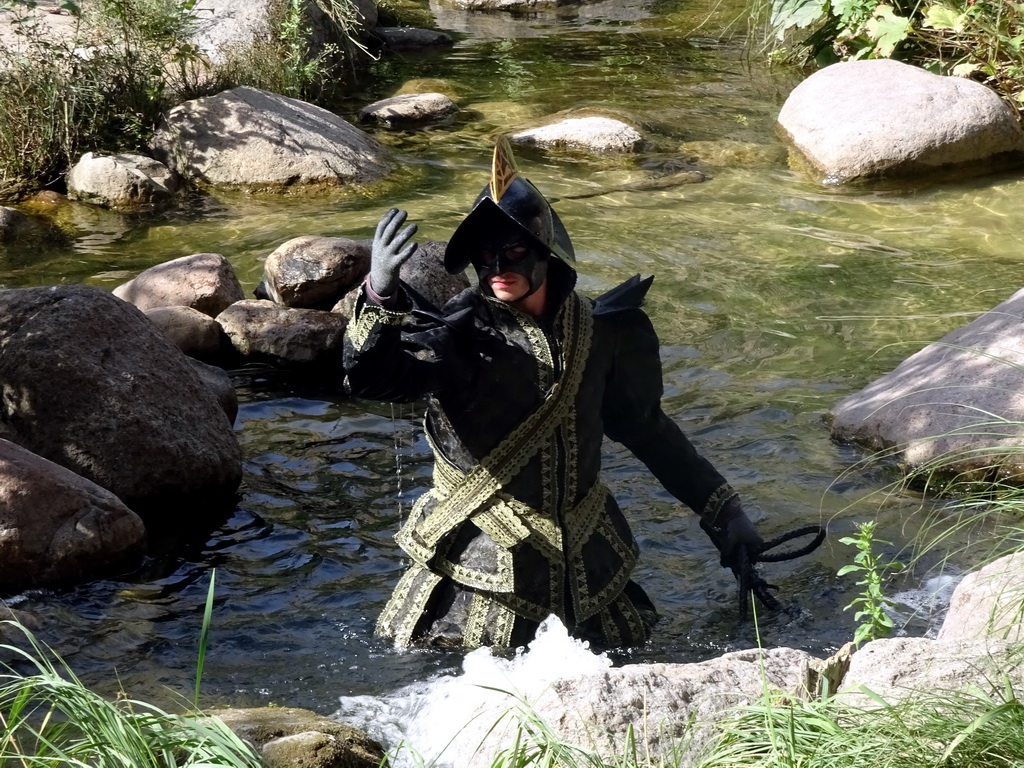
point(289, 738)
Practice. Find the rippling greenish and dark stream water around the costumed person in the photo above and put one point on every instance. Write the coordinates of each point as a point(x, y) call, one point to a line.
point(775, 298)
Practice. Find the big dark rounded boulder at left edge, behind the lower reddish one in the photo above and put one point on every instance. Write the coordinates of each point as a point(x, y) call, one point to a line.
point(92, 385)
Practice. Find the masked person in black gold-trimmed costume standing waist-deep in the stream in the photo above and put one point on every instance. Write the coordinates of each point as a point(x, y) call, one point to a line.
point(524, 376)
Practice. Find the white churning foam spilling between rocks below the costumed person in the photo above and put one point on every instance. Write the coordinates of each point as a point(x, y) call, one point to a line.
point(429, 719)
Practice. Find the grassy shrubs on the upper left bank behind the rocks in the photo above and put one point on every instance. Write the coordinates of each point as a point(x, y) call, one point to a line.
point(104, 87)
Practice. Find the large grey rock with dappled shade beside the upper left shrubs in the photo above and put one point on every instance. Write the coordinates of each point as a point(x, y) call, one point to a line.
point(260, 142)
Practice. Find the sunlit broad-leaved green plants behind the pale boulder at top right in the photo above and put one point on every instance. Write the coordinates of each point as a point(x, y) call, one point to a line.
point(980, 39)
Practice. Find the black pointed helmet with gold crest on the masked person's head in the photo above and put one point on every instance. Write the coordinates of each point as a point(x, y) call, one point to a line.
point(508, 197)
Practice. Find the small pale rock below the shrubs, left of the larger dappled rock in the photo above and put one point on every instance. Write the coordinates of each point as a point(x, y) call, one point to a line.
point(123, 182)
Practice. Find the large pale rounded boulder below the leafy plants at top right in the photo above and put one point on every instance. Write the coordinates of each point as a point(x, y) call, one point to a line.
point(861, 120)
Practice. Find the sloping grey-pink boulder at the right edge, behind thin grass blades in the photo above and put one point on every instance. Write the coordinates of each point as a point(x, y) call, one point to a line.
point(958, 403)
